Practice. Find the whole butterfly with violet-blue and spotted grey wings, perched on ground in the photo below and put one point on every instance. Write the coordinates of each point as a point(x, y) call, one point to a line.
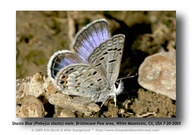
point(91, 67)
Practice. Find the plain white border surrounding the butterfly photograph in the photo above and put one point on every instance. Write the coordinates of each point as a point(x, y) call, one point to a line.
point(8, 52)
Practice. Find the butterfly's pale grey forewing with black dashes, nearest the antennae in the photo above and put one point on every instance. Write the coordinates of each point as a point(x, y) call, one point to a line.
point(107, 57)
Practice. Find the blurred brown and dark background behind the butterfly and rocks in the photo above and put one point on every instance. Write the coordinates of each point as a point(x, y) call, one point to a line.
point(39, 34)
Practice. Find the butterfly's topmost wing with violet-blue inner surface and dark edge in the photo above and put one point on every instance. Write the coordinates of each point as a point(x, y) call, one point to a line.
point(90, 37)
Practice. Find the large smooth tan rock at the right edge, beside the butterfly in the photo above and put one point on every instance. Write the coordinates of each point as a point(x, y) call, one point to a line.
point(158, 74)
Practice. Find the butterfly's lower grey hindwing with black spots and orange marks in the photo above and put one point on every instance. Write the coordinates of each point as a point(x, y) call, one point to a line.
point(81, 80)
